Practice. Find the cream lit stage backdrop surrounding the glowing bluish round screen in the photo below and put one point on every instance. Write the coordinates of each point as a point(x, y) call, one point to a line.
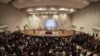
point(39, 21)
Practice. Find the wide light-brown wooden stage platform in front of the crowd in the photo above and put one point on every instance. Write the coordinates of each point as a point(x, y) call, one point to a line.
point(49, 32)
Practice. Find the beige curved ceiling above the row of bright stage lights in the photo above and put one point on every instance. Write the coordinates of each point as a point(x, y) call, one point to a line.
point(22, 4)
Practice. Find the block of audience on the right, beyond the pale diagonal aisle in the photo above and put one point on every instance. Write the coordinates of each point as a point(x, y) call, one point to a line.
point(92, 43)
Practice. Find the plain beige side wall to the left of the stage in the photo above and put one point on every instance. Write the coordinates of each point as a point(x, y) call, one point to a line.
point(12, 17)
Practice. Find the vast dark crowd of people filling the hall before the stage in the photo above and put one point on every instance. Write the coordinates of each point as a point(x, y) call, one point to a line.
point(18, 44)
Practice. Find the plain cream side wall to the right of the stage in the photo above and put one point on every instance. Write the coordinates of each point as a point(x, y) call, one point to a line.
point(88, 18)
